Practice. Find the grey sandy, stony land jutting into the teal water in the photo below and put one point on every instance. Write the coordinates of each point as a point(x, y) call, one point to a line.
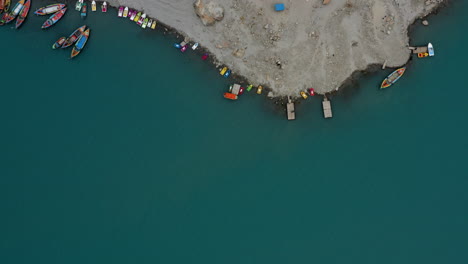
point(307, 45)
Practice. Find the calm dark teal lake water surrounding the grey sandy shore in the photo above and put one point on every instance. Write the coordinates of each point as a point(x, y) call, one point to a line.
point(130, 154)
